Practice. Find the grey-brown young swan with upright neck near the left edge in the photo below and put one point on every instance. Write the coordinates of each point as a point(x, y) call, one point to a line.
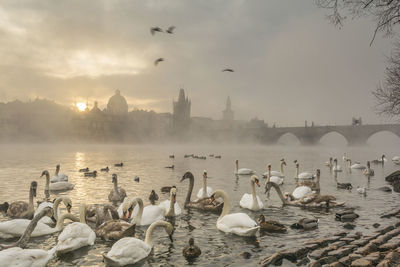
point(21, 209)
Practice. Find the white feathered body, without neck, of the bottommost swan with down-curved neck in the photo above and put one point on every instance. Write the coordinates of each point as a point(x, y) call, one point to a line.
point(129, 250)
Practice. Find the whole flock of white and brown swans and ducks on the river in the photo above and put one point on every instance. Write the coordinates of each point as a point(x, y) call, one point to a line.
point(118, 219)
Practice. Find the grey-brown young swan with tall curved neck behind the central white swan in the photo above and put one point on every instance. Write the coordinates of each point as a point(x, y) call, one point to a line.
point(200, 204)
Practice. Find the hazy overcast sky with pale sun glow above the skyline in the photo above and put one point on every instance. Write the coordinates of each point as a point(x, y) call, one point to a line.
point(290, 63)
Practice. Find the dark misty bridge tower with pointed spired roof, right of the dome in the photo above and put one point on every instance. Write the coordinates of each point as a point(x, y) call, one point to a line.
point(181, 112)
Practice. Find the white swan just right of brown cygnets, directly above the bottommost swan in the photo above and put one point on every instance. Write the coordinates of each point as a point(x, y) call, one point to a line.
point(146, 215)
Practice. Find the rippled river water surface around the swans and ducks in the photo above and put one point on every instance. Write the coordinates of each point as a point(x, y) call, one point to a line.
point(21, 164)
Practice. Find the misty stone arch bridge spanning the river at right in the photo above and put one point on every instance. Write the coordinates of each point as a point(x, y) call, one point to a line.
point(354, 134)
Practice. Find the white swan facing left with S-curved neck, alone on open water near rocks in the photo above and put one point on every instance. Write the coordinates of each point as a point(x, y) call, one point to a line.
point(236, 223)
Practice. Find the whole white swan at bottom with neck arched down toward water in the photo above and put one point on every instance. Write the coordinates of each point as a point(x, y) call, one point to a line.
point(129, 250)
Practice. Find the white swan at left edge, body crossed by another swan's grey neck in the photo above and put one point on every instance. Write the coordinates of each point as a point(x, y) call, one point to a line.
point(16, 227)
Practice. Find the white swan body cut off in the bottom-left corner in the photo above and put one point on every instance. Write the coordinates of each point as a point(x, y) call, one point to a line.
point(17, 256)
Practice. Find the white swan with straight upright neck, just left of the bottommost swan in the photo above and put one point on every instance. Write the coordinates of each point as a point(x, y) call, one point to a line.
point(76, 235)
